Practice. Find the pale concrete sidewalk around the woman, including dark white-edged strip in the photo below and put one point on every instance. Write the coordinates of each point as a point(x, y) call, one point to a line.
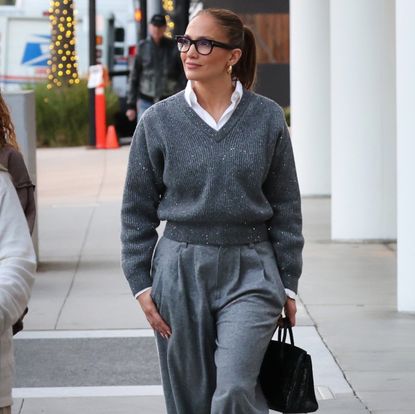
point(87, 347)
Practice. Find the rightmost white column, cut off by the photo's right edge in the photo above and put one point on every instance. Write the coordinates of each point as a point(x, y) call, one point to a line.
point(405, 96)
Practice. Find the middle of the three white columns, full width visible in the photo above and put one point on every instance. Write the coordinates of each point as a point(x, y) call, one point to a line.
point(363, 121)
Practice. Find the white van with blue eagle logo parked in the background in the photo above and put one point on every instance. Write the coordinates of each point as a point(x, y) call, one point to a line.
point(25, 39)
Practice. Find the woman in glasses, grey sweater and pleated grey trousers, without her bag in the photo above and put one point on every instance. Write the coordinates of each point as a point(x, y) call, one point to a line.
point(215, 161)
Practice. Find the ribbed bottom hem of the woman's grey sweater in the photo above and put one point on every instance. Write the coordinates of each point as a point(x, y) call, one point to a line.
point(216, 234)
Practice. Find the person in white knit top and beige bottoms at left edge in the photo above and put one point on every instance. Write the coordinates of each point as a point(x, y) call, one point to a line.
point(17, 267)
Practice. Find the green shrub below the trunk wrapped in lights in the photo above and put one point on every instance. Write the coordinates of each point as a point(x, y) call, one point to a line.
point(62, 114)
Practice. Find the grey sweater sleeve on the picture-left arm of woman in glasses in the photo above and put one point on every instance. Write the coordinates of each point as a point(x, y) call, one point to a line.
point(139, 221)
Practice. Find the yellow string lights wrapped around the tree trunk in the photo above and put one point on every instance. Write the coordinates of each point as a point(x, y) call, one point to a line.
point(63, 62)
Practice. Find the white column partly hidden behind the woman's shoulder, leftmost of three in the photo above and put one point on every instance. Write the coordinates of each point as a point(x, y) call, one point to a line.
point(310, 94)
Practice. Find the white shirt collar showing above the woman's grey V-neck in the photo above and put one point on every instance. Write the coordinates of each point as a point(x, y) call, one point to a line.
point(191, 99)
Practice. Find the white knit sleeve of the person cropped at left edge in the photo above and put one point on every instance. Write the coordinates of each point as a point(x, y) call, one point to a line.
point(17, 257)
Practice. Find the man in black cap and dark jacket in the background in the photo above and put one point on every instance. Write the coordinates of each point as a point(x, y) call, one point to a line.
point(157, 71)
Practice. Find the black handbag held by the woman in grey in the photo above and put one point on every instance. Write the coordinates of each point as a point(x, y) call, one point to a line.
point(286, 376)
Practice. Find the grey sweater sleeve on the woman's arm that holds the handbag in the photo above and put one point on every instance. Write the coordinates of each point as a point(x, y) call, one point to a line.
point(285, 227)
